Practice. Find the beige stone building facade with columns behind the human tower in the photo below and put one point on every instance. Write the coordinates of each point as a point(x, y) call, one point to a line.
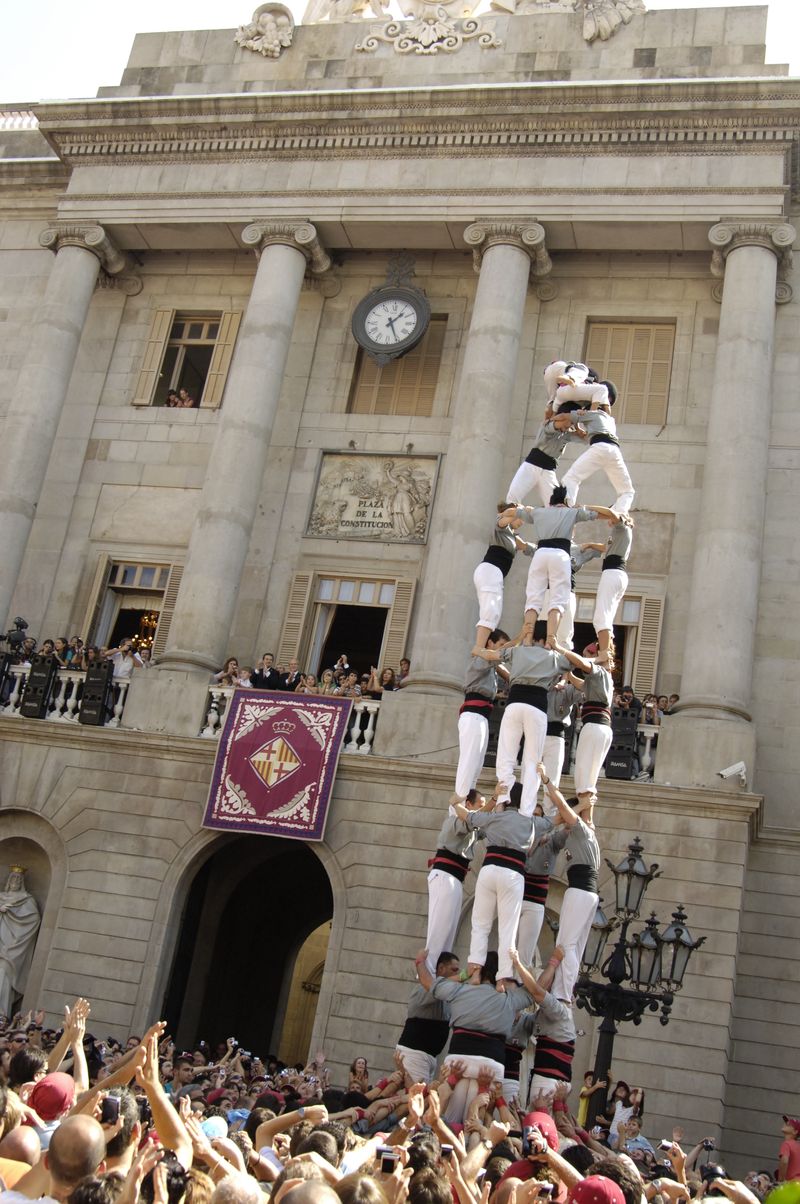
point(622, 188)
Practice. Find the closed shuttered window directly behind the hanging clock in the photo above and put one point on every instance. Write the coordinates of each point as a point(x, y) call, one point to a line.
point(404, 387)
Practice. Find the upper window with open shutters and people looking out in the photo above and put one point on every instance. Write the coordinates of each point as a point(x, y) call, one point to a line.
point(187, 351)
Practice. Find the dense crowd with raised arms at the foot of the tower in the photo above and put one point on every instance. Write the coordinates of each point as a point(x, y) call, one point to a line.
point(86, 1120)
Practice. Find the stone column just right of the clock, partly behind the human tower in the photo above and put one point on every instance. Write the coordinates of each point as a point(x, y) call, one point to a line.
point(472, 485)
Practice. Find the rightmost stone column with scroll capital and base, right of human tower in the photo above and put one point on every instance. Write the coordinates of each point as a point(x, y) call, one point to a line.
point(714, 725)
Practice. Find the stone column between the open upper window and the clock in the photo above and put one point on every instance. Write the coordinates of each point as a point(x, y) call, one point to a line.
point(222, 528)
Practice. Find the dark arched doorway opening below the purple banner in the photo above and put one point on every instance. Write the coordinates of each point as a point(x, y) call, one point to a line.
point(249, 911)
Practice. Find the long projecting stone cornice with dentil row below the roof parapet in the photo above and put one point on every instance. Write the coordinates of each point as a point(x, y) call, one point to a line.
point(558, 119)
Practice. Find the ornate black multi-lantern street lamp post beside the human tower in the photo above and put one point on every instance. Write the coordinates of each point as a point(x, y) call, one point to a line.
point(642, 975)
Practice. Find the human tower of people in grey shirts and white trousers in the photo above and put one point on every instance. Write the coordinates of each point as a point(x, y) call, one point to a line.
point(485, 1006)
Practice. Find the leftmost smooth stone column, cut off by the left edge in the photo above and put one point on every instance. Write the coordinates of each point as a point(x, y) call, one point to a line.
point(81, 252)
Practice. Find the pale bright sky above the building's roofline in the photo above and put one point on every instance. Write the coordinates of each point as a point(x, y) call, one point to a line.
point(57, 51)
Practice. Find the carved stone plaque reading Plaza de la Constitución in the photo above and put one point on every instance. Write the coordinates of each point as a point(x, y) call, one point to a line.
point(380, 498)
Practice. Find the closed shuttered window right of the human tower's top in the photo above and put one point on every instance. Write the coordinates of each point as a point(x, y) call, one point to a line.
point(638, 357)
